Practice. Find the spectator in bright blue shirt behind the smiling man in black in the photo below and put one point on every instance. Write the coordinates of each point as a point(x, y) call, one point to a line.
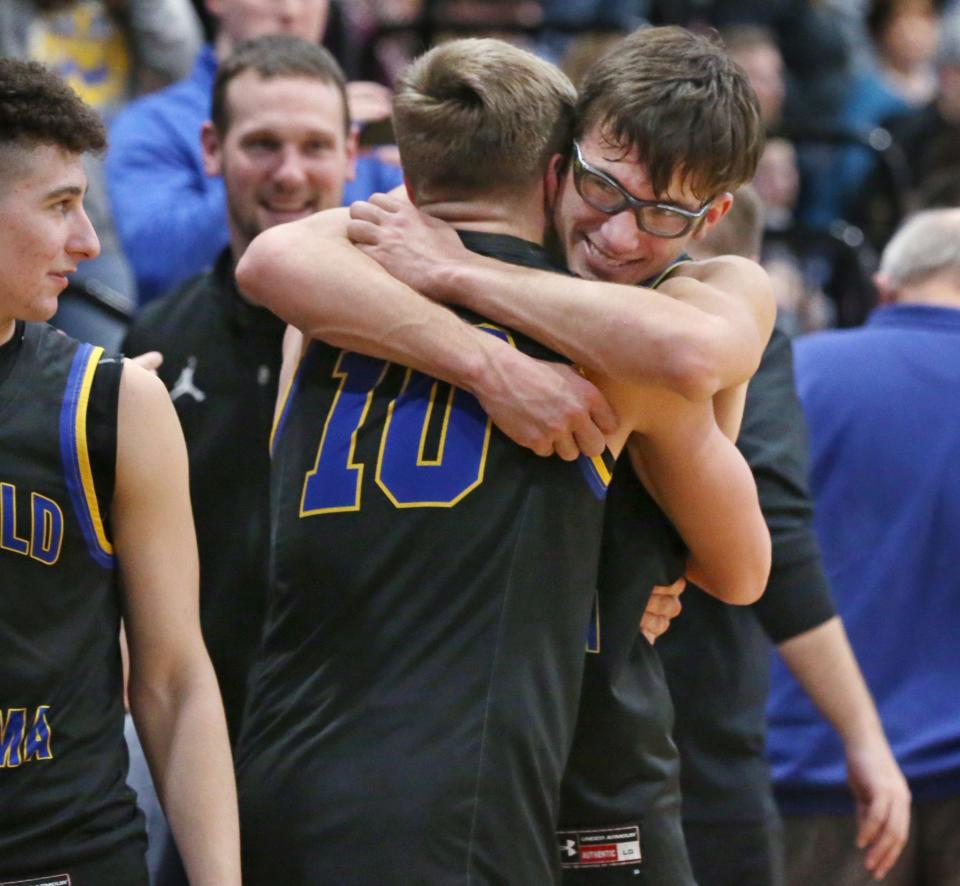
point(170, 215)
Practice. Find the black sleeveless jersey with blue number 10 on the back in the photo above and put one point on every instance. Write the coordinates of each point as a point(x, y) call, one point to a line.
point(415, 697)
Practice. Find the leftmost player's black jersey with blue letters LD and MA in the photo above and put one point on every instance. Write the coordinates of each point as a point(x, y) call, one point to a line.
point(67, 815)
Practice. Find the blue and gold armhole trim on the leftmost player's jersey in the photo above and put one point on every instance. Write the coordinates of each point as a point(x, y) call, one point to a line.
point(76, 455)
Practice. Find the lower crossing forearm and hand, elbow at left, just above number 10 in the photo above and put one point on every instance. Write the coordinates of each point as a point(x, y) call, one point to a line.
point(310, 275)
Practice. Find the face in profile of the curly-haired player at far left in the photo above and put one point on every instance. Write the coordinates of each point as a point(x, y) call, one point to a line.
point(46, 232)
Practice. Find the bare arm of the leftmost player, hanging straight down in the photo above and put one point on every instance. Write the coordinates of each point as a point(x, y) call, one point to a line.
point(173, 690)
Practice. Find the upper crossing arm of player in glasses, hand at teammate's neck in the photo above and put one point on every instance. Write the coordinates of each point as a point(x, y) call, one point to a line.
point(701, 331)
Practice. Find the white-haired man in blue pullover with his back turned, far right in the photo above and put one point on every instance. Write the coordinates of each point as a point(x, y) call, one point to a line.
point(881, 405)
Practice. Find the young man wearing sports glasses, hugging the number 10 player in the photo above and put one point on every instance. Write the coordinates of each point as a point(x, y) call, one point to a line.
point(666, 127)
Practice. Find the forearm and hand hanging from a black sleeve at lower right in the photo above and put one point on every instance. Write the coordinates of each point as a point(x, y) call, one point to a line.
point(822, 661)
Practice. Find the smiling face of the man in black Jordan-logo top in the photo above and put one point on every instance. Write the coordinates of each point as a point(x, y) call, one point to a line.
point(285, 155)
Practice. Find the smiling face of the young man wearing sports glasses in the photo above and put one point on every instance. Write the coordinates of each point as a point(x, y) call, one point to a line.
point(612, 248)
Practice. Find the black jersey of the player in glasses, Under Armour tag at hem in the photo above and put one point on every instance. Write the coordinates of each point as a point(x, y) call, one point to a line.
point(620, 815)
